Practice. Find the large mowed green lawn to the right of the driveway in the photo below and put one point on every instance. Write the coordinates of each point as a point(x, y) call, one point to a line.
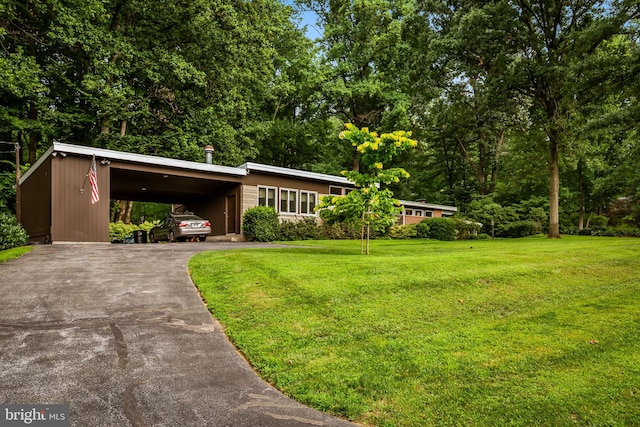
point(523, 332)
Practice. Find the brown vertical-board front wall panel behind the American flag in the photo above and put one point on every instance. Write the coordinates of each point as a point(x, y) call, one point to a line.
point(74, 217)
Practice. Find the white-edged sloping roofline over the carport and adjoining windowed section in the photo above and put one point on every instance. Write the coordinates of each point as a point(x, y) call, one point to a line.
point(240, 171)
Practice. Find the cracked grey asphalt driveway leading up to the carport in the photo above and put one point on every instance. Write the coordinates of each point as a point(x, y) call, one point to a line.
point(120, 333)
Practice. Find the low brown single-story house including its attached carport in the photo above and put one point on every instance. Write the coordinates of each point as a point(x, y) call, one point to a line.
point(56, 196)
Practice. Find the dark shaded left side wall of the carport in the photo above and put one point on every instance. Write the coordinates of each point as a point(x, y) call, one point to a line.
point(36, 203)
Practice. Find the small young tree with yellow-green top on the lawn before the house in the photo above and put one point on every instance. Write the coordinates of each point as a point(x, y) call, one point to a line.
point(370, 206)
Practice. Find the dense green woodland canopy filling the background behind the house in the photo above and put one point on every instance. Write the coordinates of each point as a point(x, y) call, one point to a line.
point(509, 100)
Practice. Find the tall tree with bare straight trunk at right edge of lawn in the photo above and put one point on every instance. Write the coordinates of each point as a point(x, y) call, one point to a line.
point(534, 46)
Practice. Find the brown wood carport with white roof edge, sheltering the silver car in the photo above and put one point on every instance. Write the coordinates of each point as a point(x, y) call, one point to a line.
point(56, 194)
